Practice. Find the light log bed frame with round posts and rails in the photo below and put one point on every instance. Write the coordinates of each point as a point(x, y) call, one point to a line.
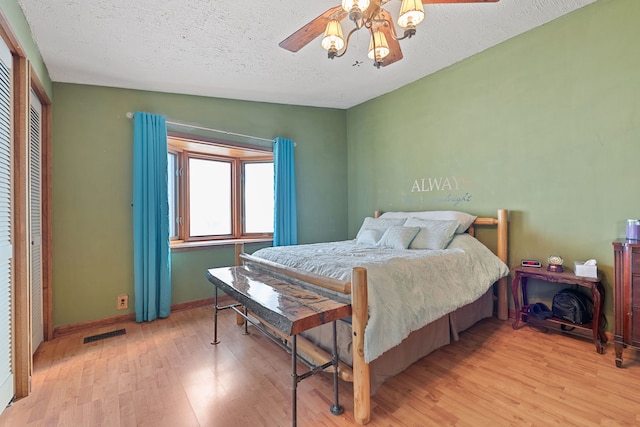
point(359, 374)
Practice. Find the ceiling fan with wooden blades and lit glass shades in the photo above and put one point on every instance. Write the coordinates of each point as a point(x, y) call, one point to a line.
point(384, 46)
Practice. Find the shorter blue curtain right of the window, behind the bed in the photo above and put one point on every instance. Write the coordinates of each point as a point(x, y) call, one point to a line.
point(285, 228)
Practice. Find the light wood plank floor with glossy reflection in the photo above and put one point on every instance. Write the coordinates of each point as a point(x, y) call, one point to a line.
point(166, 373)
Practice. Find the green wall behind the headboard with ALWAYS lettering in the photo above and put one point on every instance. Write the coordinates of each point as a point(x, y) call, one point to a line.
point(546, 125)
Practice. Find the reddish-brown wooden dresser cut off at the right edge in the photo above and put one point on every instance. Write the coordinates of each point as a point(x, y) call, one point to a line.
point(626, 308)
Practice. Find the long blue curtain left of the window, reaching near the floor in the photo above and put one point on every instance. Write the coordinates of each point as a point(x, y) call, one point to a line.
point(151, 255)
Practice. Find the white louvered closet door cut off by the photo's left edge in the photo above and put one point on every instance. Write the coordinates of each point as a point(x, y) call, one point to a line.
point(6, 238)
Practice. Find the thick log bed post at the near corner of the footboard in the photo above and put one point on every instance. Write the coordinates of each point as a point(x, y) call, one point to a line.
point(360, 316)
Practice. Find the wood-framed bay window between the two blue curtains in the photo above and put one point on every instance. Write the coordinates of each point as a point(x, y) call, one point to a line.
point(219, 191)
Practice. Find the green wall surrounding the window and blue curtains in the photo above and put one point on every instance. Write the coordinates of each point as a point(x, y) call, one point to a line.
point(92, 191)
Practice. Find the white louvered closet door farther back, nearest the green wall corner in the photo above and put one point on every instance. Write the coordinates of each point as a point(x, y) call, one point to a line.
point(35, 219)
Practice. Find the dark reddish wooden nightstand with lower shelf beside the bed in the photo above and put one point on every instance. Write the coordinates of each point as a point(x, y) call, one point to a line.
point(522, 274)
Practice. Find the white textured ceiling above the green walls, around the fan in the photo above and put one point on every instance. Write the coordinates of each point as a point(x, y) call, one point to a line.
point(218, 49)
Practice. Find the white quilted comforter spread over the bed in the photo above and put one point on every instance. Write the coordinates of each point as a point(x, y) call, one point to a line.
point(407, 288)
